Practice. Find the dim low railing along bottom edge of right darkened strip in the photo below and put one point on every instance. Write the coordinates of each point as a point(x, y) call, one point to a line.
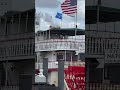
point(102, 87)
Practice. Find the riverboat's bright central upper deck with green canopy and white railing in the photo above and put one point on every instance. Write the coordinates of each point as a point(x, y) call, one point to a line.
point(60, 39)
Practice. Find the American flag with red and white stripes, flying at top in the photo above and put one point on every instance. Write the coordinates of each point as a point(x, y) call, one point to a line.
point(69, 7)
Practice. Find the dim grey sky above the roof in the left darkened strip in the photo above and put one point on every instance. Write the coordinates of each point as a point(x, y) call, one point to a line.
point(15, 5)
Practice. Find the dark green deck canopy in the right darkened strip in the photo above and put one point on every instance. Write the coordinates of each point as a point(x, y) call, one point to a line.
point(106, 14)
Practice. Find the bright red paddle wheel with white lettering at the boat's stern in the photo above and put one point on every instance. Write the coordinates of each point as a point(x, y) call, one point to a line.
point(75, 77)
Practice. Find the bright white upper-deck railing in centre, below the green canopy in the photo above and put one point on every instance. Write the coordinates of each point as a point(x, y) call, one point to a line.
point(60, 44)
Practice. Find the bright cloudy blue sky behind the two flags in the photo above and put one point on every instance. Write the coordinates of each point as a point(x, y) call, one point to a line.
point(51, 7)
